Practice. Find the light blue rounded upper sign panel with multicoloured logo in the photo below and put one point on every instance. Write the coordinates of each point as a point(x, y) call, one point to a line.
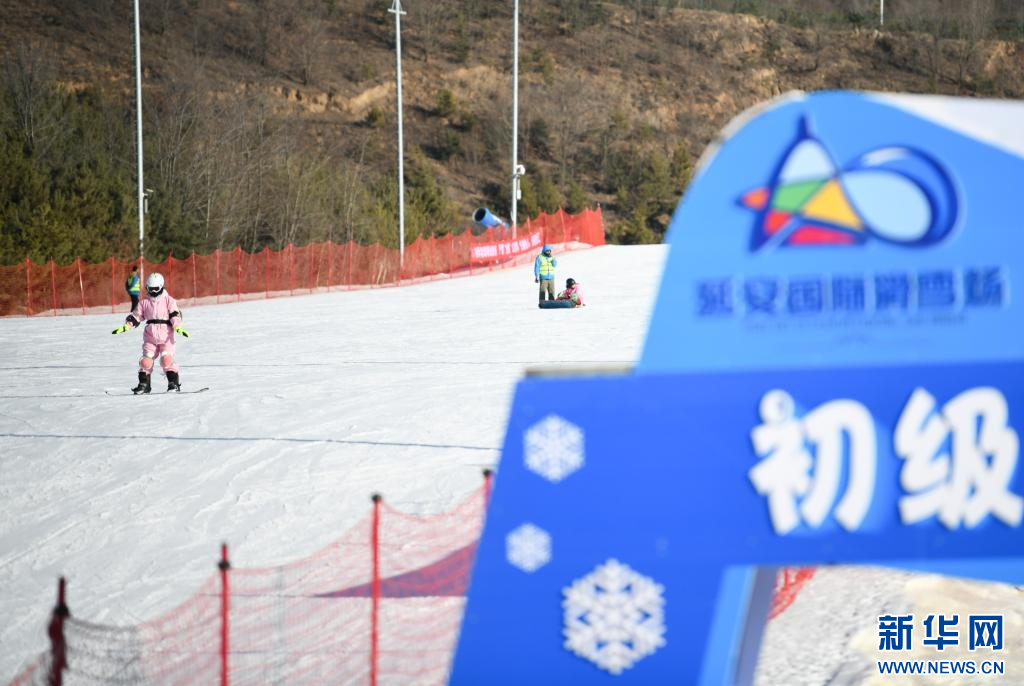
point(838, 230)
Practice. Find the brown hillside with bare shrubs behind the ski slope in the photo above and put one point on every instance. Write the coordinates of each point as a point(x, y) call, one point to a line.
point(615, 103)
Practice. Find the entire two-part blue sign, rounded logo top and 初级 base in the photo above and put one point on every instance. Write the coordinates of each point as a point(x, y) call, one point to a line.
point(833, 374)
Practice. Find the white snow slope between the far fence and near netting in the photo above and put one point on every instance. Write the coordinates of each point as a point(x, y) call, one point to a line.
point(316, 403)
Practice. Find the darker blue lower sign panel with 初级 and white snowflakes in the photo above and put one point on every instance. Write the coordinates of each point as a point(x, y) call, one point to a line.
point(671, 483)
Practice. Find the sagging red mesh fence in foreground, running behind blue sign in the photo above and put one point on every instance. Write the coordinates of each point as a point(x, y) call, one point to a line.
point(382, 605)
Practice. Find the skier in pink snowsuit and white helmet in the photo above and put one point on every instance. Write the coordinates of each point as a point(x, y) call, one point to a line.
point(163, 319)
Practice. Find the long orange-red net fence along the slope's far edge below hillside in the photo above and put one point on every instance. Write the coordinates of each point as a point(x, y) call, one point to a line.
point(230, 276)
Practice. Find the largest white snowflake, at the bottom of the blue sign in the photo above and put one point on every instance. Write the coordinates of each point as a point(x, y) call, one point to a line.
point(614, 617)
